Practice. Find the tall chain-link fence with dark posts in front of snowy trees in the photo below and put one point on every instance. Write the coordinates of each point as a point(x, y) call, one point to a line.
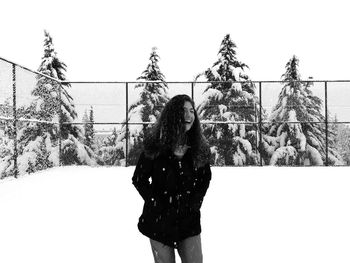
point(45, 122)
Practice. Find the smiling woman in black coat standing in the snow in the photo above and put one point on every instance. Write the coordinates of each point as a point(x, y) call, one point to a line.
point(176, 160)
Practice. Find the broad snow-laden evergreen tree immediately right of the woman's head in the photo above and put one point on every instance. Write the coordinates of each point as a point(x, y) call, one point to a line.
point(230, 99)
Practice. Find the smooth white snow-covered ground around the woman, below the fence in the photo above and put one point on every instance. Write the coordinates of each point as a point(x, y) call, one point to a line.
point(250, 214)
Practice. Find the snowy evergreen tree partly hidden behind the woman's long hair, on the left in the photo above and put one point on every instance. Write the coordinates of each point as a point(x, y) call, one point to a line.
point(147, 107)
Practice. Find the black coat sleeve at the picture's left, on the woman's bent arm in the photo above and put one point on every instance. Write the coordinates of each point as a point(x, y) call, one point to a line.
point(142, 174)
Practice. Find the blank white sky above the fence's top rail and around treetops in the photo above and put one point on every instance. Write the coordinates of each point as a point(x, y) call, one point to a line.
point(112, 40)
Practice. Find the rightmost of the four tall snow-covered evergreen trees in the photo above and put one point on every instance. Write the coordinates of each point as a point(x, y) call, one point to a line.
point(297, 132)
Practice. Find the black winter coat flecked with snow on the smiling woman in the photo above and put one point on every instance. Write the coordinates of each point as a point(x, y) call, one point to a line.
point(173, 191)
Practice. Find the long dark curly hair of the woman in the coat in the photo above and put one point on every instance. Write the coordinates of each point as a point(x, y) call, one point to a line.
point(169, 131)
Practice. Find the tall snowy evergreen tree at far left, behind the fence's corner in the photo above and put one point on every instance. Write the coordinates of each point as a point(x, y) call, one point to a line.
point(38, 141)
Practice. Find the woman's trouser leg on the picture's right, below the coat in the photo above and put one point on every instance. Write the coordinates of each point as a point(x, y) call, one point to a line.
point(190, 250)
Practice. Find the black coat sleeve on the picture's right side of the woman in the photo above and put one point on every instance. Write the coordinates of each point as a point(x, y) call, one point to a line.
point(200, 187)
